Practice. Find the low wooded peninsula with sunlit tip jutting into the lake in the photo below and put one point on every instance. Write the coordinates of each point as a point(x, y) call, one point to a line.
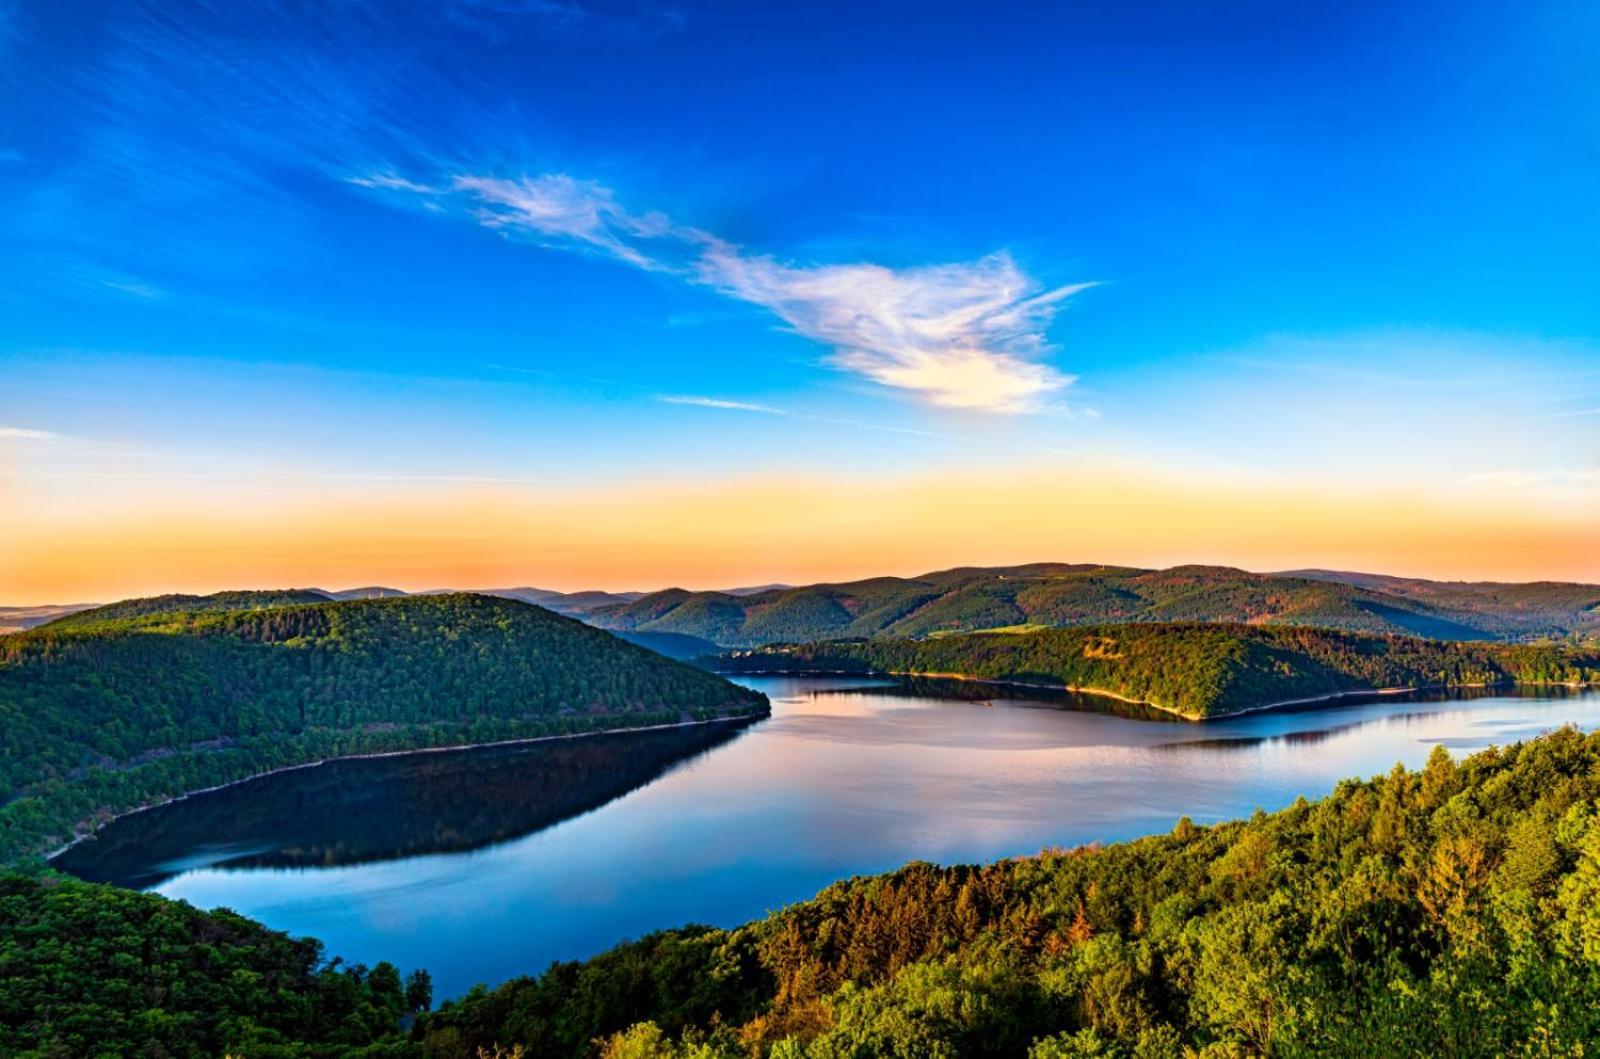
point(1194, 669)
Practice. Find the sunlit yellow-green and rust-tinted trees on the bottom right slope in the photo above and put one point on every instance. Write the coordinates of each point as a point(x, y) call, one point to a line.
point(1450, 911)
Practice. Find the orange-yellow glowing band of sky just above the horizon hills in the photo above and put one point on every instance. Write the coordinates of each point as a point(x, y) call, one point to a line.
point(126, 540)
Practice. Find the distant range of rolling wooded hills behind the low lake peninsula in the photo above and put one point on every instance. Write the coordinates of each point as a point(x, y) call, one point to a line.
point(1058, 594)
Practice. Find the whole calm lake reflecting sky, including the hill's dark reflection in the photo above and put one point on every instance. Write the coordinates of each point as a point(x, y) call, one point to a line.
point(462, 865)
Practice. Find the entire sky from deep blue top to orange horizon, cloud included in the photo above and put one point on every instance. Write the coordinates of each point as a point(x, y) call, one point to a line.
point(588, 295)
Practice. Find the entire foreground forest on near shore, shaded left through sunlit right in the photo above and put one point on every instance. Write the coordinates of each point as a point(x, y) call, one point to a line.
point(1446, 913)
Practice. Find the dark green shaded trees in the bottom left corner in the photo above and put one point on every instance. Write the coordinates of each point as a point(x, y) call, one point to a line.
point(103, 972)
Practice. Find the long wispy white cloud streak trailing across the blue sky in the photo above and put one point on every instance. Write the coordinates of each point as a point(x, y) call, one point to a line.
point(967, 335)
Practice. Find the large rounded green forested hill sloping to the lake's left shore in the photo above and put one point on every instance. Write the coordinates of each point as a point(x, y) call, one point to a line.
point(108, 716)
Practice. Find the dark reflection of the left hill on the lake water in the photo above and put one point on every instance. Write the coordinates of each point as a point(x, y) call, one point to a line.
point(383, 809)
